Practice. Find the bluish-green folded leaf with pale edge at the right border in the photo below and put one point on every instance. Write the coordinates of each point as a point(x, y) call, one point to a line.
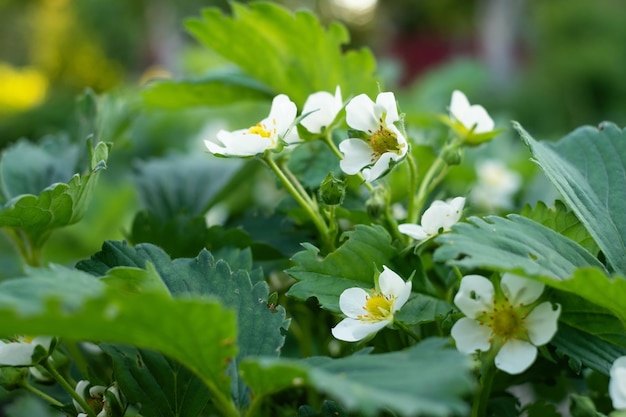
point(587, 167)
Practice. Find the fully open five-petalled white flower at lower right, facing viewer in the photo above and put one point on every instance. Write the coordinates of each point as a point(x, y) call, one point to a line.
point(508, 321)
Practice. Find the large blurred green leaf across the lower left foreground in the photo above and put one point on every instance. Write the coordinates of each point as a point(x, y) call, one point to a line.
point(196, 331)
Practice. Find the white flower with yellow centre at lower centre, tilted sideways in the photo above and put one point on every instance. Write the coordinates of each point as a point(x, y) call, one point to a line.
point(366, 312)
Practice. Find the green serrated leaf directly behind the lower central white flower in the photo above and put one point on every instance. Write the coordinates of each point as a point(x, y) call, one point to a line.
point(354, 264)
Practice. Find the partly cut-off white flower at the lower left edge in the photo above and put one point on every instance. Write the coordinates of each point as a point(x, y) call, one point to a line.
point(25, 351)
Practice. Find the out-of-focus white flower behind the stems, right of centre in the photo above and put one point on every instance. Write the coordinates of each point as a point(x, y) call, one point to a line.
point(496, 185)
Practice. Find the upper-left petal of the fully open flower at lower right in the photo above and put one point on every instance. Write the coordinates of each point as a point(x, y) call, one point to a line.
point(475, 296)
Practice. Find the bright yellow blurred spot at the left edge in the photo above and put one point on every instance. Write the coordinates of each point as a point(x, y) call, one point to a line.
point(21, 89)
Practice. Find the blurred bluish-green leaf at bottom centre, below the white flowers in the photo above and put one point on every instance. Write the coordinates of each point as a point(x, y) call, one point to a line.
point(426, 379)
